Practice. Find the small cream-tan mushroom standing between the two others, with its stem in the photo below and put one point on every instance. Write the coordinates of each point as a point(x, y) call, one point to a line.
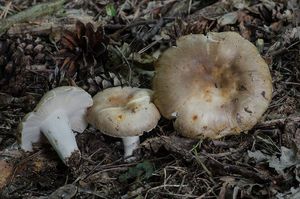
point(124, 112)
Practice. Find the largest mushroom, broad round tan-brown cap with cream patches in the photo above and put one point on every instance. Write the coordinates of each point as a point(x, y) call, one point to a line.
point(214, 85)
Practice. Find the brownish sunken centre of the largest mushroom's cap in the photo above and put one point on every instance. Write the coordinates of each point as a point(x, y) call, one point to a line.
point(217, 85)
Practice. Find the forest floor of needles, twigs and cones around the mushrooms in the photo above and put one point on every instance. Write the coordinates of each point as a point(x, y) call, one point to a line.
point(35, 56)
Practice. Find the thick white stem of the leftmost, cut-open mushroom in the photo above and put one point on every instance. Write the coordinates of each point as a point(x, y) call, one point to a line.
point(58, 131)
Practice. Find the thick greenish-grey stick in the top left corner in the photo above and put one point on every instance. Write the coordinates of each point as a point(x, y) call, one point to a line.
point(30, 14)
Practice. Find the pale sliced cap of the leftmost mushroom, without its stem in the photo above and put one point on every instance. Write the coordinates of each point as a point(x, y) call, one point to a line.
point(73, 101)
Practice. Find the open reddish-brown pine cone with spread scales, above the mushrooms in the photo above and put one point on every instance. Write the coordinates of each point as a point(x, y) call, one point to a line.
point(83, 50)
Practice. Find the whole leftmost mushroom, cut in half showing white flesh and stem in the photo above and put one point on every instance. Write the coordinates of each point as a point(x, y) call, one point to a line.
point(60, 111)
